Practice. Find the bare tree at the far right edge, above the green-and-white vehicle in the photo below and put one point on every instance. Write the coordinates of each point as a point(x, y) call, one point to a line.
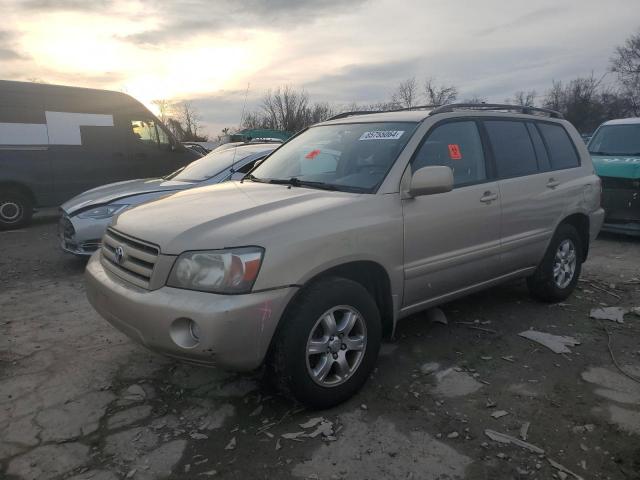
point(626, 64)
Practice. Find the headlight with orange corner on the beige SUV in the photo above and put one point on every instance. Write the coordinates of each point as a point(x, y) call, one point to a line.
point(217, 271)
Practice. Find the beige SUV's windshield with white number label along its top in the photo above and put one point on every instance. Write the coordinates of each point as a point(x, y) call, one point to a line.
point(350, 157)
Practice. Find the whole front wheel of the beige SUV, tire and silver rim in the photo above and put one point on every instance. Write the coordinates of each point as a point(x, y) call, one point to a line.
point(328, 343)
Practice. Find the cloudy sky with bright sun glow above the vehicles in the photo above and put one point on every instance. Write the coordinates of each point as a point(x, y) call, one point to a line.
point(216, 52)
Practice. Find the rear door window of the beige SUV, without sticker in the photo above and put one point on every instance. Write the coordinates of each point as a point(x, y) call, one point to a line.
point(512, 148)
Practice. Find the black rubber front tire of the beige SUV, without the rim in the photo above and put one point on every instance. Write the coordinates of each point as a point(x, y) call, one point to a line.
point(288, 359)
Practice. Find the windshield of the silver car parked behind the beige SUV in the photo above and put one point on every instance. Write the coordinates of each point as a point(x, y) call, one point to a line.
point(214, 163)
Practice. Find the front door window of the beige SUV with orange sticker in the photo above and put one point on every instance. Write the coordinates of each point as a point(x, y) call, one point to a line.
point(456, 145)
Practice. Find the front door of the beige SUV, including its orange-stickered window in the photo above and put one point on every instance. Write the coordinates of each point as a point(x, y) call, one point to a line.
point(452, 240)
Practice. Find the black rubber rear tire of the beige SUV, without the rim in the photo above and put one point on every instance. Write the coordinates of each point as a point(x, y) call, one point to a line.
point(542, 285)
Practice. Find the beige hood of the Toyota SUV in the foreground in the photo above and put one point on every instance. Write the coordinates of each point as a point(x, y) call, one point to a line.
point(230, 214)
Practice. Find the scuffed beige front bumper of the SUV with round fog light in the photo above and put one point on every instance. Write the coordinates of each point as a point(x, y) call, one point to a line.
point(234, 330)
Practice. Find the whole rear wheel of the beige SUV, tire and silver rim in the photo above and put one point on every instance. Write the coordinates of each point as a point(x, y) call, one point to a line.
point(557, 275)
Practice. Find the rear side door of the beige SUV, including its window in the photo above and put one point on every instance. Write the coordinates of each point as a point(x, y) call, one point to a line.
point(532, 191)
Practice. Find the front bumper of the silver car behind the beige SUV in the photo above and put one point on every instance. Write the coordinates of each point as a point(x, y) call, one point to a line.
point(81, 236)
